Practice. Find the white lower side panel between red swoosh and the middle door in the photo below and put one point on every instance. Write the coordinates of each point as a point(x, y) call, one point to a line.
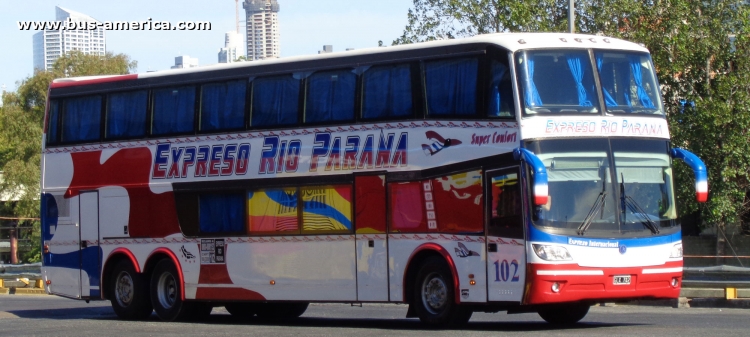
point(308, 268)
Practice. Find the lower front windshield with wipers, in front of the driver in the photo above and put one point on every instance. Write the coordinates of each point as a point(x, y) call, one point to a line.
point(584, 199)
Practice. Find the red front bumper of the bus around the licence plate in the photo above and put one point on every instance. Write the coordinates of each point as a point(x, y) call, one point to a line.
point(572, 283)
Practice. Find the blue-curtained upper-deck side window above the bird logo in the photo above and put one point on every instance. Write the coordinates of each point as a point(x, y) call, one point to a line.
point(451, 86)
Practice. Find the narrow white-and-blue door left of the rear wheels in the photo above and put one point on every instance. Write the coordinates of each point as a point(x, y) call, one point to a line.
point(89, 244)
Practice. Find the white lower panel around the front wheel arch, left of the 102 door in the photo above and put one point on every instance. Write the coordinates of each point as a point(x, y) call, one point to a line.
point(467, 253)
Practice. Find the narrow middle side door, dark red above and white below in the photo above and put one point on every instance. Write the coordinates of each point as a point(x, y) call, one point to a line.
point(371, 238)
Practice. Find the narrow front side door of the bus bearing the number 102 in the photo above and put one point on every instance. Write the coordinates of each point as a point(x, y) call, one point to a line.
point(506, 253)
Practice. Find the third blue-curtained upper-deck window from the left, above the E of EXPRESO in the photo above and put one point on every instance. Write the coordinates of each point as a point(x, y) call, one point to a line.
point(174, 110)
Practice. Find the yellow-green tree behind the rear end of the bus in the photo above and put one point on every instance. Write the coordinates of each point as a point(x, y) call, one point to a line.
point(21, 119)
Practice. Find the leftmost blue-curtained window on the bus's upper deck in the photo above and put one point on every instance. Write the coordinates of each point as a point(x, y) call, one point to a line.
point(81, 119)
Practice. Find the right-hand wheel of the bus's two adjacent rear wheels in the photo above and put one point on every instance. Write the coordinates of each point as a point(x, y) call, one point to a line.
point(166, 294)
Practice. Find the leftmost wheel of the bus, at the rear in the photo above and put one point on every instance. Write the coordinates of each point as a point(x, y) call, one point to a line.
point(128, 292)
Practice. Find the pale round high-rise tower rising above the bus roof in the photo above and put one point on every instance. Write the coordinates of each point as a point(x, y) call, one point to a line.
point(262, 29)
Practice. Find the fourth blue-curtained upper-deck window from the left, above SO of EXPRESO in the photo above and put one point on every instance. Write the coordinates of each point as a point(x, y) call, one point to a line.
point(223, 106)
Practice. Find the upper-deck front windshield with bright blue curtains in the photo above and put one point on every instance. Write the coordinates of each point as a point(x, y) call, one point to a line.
point(562, 82)
